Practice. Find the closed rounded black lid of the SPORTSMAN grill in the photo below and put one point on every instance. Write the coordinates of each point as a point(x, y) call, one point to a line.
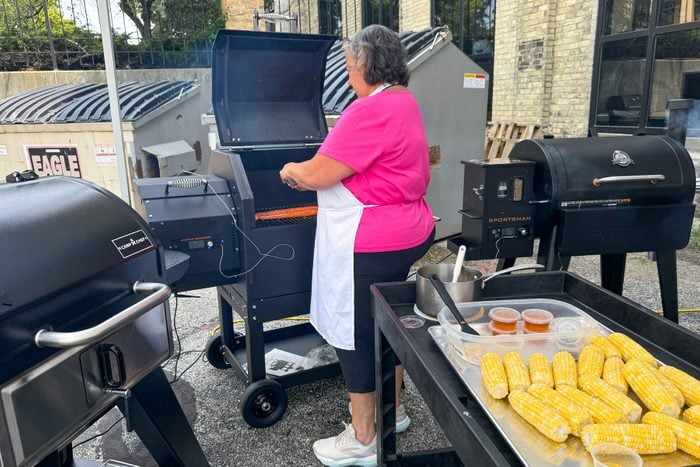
point(576, 172)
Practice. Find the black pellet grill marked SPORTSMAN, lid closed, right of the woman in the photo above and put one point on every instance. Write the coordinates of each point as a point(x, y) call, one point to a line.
point(583, 196)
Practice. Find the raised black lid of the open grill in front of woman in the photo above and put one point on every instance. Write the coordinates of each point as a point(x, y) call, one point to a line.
point(267, 88)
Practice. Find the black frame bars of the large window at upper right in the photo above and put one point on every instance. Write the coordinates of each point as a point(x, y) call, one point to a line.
point(651, 34)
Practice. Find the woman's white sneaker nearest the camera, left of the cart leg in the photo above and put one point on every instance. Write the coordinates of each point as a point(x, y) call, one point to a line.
point(345, 449)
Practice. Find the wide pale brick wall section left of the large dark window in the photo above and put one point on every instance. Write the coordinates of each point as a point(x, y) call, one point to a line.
point(543, 63)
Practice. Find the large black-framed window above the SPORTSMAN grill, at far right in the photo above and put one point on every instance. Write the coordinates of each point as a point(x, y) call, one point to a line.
point(646, 52)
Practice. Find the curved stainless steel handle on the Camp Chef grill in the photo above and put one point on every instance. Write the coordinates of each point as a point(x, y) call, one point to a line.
point(158, 294)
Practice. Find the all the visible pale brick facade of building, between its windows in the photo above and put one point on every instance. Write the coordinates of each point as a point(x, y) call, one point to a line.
point(543, 59)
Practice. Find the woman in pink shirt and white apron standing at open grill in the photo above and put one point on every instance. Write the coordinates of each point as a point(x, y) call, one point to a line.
point(370, 174)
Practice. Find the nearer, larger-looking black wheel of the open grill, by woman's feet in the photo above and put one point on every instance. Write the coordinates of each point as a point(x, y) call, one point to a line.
point(263, 403)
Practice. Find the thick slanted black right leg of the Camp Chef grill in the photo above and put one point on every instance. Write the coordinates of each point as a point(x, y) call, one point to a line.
point(161, 424)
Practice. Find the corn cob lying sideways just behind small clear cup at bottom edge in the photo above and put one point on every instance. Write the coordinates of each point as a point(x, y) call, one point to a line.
point(641, 437)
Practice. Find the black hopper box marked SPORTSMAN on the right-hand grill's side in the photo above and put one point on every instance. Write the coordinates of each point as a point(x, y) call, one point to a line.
point(497, 217)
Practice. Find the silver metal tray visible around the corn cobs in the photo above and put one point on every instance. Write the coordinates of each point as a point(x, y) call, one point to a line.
point(529, 445)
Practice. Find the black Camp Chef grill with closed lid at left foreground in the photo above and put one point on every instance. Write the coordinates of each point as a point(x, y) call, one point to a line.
point(84, 325)
